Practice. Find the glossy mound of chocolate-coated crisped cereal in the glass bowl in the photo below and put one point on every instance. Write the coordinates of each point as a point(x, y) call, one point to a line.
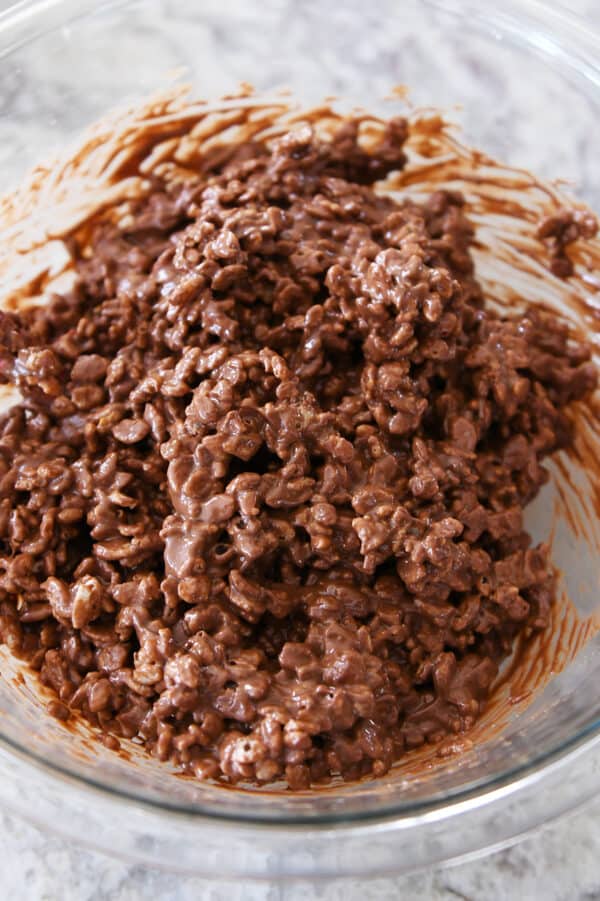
point(261, 504)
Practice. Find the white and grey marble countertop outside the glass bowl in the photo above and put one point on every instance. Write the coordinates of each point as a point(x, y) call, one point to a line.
point(559, 863)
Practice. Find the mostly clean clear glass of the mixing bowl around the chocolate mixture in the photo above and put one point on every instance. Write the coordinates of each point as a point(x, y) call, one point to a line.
point(524, 82)
